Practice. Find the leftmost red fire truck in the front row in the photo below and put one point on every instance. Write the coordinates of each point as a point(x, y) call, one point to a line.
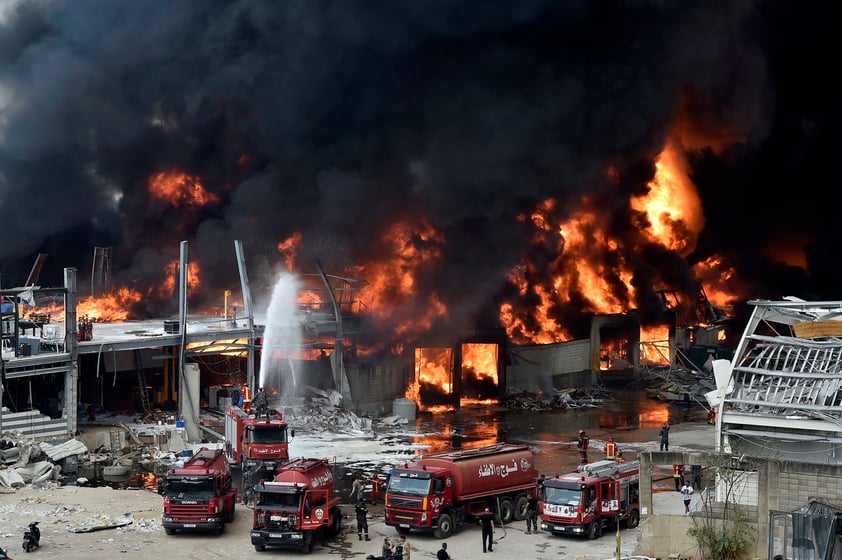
point(200, 495)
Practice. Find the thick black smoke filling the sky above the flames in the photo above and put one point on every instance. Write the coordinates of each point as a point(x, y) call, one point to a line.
point(338, 119)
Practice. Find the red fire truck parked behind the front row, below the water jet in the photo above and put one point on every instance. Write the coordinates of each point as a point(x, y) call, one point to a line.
point(252, 441)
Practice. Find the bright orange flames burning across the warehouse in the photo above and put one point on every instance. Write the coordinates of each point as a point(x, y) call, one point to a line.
point(588, 269)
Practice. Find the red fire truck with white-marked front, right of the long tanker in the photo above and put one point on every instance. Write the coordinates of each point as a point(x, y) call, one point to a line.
point(596, 495)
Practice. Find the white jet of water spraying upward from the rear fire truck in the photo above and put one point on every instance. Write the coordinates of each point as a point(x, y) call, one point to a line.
point(281, 341)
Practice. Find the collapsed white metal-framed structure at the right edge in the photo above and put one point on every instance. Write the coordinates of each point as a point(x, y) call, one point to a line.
point(785, 397)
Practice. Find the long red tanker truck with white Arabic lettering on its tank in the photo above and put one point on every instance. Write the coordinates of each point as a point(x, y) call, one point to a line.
point(441, 491)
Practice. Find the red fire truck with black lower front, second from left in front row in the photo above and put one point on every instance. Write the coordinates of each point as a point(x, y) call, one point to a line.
point(297, 507)
